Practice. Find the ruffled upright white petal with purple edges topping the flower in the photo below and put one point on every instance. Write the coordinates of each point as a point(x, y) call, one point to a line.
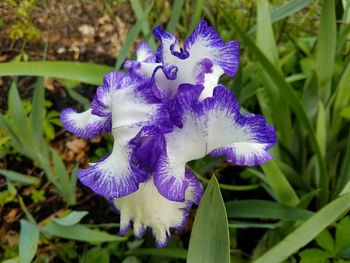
point(203, 60)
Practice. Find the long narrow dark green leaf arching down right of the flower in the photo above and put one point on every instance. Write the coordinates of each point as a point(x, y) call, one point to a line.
point(293, 100)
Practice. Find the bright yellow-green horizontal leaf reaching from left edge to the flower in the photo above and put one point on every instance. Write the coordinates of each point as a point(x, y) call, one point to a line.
point(83, 72)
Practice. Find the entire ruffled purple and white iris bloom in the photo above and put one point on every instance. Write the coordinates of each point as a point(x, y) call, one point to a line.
point(166, 111)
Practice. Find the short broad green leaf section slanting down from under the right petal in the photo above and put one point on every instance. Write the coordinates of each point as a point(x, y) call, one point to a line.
point(280, 185)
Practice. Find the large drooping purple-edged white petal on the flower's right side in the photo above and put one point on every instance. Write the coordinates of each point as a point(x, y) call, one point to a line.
point(214, 126)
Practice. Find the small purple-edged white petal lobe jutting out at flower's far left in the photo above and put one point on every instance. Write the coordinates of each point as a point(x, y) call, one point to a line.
point(85, 124)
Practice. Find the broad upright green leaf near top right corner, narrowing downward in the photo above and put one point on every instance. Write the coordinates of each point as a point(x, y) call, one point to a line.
point(326, 47)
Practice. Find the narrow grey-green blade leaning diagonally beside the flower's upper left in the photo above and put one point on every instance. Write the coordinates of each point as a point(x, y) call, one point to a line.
point(131, 38)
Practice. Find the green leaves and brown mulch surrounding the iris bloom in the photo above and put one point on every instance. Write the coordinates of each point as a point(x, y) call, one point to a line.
point(294, 69)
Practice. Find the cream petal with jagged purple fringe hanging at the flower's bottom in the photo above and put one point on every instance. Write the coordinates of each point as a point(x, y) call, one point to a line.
point(147, 208)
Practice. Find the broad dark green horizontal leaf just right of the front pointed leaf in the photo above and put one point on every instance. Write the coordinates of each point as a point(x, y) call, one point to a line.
point(265, 210)
